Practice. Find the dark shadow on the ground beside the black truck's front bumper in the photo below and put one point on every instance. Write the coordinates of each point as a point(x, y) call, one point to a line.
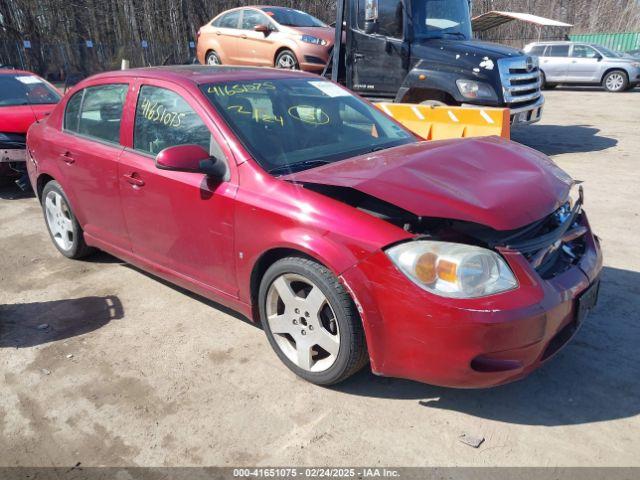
point(559, 139)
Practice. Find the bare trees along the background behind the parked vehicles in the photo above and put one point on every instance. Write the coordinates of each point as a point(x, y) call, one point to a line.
point(57, 31)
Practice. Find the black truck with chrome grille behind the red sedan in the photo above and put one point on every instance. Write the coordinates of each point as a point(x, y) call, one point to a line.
point(423, 51)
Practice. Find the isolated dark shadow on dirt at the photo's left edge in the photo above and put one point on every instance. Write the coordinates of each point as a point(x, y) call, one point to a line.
point(29, 324)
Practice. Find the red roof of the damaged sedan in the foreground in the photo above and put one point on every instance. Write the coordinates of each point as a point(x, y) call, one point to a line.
point(202, 74)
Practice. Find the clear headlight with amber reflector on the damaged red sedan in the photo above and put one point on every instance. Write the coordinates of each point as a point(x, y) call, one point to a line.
point(453, 270)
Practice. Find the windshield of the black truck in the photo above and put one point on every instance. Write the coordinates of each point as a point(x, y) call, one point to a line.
point(441, 19)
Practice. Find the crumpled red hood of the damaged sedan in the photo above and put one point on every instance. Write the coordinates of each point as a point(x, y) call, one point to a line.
point(490, 181)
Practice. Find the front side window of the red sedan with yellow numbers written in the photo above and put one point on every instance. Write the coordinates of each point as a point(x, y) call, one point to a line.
point(164, 119)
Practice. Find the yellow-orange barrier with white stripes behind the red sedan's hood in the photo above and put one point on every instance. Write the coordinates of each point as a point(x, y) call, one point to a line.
point(438, 123)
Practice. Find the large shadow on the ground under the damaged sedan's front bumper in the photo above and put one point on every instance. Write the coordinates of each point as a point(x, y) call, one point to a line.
point(595, 378)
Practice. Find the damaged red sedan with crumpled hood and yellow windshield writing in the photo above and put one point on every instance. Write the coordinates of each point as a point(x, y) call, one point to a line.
point(463, 263)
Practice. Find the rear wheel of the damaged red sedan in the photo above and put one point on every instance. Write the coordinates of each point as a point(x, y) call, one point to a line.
point(64, 229)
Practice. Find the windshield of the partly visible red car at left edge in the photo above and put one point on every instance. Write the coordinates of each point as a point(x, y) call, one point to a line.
point(26, 90)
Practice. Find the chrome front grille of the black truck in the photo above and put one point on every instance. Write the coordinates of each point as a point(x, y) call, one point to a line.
point(520, 80)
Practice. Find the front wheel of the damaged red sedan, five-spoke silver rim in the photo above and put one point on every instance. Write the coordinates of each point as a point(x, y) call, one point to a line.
point(311, 321)
